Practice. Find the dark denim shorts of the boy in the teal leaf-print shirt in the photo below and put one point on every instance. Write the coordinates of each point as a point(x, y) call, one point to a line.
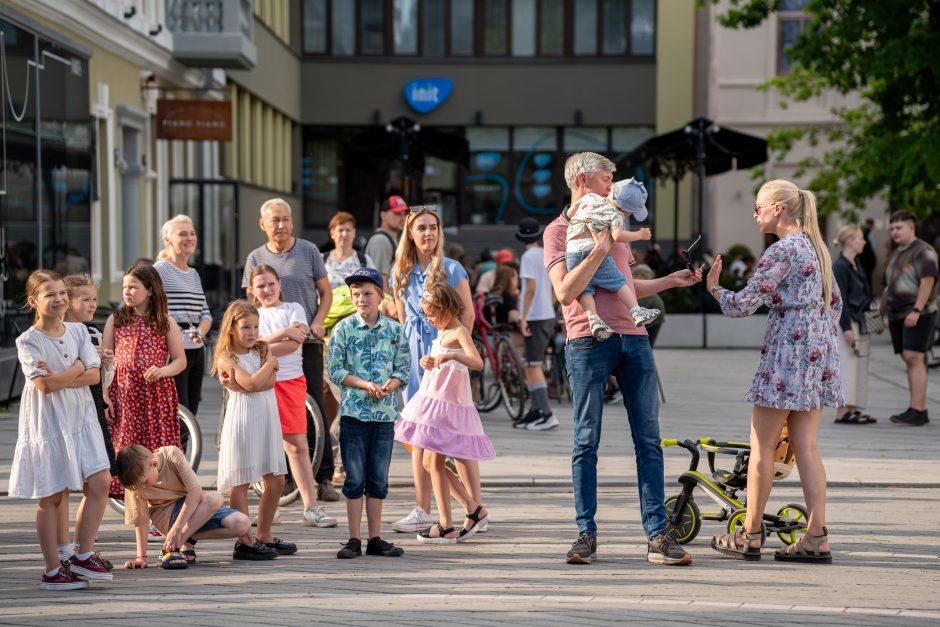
point(366, 448)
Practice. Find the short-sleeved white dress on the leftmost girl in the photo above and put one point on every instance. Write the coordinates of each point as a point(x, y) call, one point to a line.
point(59, 444)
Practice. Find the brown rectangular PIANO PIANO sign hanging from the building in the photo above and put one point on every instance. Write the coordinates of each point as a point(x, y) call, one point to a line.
point(201, 120)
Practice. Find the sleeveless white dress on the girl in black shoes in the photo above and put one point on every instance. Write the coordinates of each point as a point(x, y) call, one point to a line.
point(251, 443)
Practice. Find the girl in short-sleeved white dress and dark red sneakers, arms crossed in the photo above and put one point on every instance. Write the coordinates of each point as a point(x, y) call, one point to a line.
point(60, 446)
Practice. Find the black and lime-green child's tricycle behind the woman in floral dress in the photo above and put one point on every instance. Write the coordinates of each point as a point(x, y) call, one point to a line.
point(684, 518)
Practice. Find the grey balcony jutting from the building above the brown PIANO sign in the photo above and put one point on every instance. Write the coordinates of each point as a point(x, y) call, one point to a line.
point(212, 33)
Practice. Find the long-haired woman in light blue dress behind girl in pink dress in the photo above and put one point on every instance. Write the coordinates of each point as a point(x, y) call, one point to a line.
point(420, 259)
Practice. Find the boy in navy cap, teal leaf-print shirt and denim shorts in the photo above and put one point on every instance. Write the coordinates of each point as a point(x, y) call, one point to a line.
point(369, 359)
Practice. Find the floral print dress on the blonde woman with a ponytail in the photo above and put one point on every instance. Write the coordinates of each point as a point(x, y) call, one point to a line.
point(799, 366)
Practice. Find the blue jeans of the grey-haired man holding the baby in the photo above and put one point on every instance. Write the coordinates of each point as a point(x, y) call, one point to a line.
point(590, 363)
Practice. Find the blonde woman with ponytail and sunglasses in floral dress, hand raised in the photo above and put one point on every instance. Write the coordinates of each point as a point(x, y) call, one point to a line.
point(799, 367)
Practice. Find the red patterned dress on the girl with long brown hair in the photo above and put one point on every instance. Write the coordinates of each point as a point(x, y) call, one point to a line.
point(144, 411)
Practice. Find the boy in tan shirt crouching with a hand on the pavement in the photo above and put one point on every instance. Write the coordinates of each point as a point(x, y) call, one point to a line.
point(161, 487)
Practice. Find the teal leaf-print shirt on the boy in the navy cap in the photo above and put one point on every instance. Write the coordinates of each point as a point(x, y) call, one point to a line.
point(376, 355)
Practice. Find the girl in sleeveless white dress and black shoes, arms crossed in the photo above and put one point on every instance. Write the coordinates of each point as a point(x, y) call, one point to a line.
point(250, 448)
